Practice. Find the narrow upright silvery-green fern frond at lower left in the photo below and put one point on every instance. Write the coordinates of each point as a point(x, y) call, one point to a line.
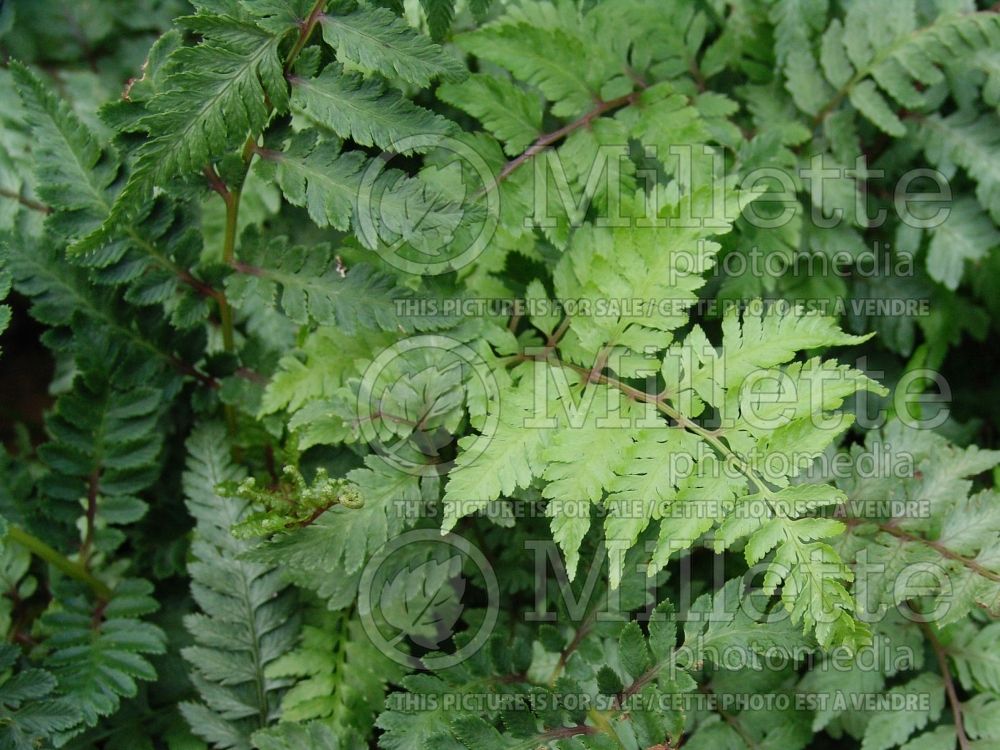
point(247, 618)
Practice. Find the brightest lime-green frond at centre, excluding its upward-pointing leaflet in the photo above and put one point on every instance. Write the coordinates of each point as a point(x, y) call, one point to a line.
point(592, 459)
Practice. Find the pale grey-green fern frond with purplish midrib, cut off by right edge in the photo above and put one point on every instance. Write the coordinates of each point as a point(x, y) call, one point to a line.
point(951, 528)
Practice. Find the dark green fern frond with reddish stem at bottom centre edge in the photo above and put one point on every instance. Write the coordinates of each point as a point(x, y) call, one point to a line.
point(624, 674)
